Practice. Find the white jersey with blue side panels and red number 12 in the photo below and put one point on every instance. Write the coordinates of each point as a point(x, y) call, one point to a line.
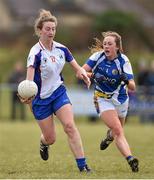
point(48, 67)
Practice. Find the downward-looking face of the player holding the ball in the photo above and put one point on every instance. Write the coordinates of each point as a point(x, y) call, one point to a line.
point(48, 31)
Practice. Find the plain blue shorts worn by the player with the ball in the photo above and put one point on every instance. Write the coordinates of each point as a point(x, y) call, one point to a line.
point(43, 111)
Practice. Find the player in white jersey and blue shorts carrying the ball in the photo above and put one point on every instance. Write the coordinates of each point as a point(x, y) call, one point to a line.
point(44, 66)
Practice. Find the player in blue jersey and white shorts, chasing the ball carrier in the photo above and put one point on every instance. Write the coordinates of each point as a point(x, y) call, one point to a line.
point(112, 75)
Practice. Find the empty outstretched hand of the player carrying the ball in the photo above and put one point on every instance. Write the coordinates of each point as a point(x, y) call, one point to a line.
point(82, 74)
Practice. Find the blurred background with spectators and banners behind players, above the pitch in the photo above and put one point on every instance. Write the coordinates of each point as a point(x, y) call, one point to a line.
point(79, 21)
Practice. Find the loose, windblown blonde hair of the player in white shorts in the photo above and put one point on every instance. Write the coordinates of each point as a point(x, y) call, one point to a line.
point(98, 46)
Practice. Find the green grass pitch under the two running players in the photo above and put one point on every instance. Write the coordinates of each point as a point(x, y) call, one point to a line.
point(19, 155)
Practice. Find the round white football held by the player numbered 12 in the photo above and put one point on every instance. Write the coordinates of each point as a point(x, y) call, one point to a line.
point(27, 89)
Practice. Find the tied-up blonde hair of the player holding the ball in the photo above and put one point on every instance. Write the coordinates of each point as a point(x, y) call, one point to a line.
point(44, 16)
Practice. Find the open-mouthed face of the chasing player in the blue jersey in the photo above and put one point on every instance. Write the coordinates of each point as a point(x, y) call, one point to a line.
point(110, 47)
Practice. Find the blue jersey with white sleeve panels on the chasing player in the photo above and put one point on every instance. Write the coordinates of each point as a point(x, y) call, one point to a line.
point(109, 72)
